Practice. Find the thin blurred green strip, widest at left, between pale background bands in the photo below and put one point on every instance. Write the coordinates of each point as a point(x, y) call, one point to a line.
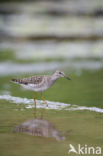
point(10, 55)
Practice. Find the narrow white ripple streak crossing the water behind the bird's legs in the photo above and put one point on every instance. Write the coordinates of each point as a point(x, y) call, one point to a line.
point(51, 105)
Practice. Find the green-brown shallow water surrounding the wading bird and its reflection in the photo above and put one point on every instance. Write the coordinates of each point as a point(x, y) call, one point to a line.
point(75, 107)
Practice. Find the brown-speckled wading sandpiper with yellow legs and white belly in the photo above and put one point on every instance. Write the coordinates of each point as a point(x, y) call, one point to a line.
point(40, 84)
